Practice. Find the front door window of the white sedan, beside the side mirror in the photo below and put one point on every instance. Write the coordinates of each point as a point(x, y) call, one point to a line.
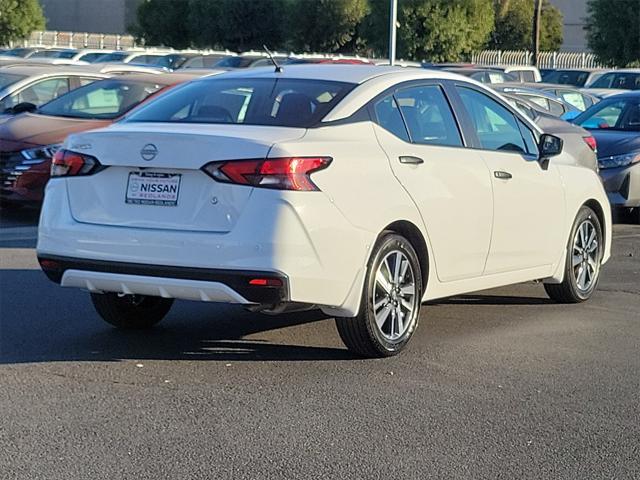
point(496, 127)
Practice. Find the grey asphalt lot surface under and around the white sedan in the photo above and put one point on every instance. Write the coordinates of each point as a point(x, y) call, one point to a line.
point(500, 384)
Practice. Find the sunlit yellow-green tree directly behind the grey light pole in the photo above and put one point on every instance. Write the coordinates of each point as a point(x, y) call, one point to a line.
point(434, 30)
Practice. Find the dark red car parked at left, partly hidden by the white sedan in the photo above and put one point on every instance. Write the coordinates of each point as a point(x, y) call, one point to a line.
point(28, 141)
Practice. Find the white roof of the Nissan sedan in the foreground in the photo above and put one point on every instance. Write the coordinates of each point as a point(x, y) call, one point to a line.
point(356, 74)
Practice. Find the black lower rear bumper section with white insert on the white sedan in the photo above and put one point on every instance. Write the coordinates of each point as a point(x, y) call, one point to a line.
point(203, 284)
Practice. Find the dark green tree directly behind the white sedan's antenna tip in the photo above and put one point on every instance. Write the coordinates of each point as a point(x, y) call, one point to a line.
point(238, 24)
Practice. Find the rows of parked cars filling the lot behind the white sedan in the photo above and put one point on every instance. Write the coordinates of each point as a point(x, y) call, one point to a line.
point(43, 100)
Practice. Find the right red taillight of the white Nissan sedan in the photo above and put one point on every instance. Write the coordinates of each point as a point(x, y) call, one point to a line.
point(279, 173)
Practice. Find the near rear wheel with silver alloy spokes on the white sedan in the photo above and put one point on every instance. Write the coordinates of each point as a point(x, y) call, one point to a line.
point(390, 304)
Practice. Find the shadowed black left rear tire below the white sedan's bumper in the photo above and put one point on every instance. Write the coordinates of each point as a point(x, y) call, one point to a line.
point(131, 312)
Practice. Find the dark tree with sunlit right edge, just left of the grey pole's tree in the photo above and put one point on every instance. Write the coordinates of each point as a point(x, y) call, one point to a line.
point(326, 25)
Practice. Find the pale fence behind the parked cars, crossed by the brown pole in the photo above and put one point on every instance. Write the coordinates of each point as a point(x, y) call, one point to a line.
point(545, 59)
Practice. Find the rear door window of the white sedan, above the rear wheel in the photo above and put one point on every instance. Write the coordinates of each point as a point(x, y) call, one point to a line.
point(428, 116)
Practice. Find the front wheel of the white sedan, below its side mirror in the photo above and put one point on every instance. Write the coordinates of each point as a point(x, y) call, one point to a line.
point(582, 265)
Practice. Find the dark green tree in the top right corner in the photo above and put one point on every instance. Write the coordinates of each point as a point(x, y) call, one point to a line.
point(613, 31)
